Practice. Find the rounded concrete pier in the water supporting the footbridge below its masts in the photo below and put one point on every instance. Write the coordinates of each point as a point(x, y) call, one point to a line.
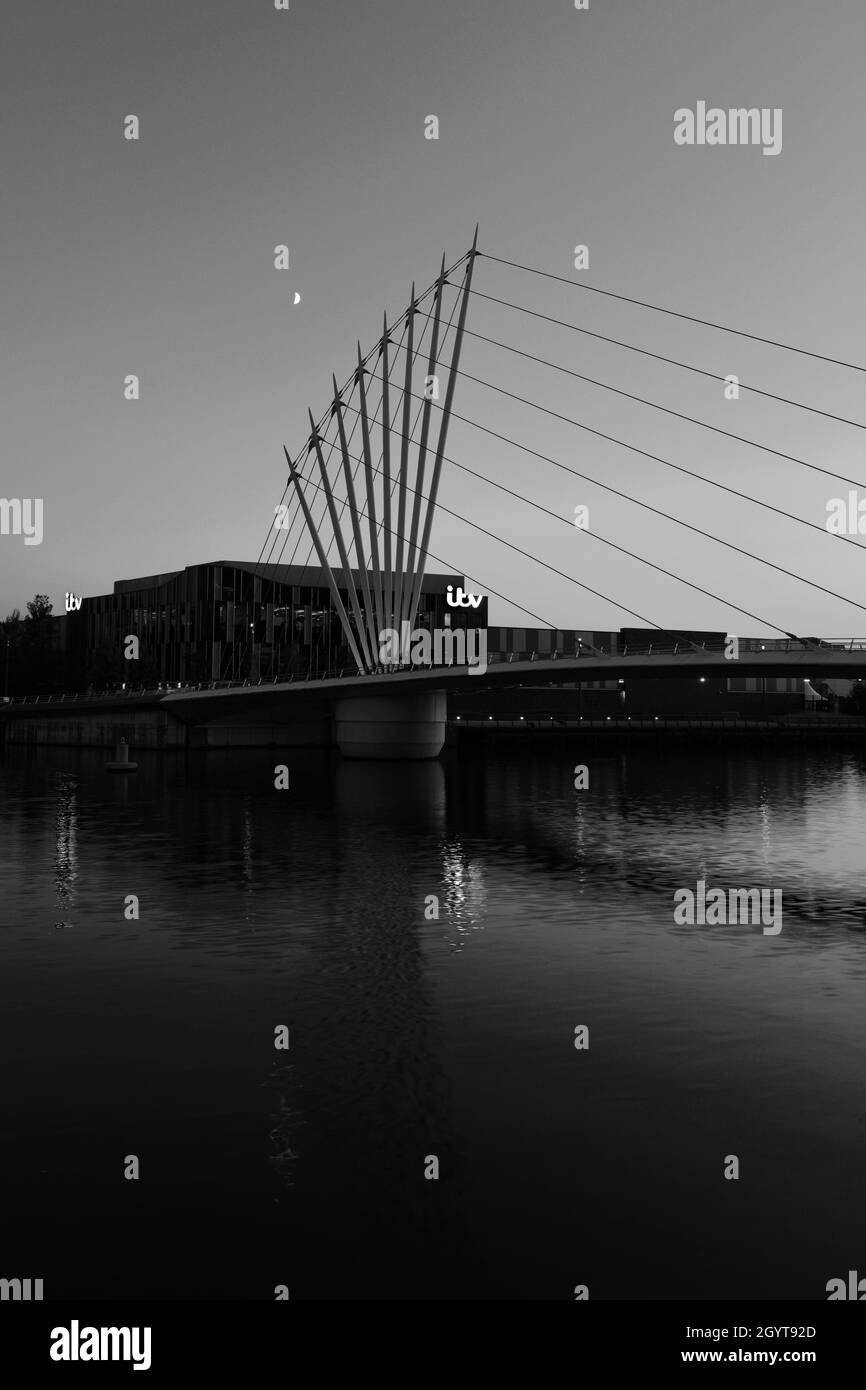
point(391, 726)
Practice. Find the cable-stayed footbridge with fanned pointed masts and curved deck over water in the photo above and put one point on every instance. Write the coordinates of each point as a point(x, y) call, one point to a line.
point(363, 493)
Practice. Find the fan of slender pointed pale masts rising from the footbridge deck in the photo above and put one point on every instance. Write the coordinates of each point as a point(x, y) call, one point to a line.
point(393, 508)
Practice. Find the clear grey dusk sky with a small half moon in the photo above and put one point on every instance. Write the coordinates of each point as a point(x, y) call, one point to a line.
point(557, 129)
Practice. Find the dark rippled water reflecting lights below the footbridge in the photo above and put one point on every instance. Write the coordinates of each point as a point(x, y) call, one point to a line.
point(415, 1038)
